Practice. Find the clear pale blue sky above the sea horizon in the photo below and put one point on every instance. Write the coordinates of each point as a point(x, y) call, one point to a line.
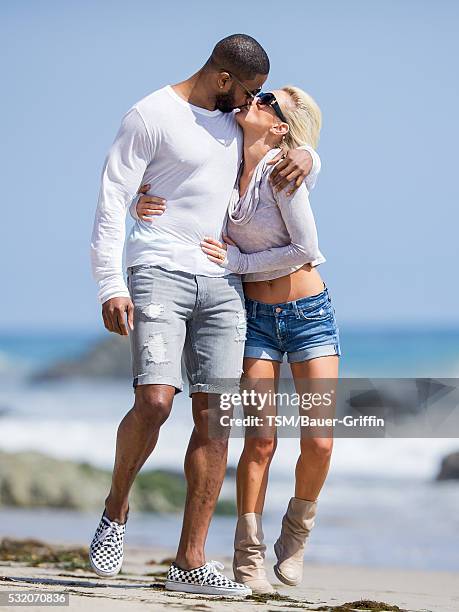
point(383, 72)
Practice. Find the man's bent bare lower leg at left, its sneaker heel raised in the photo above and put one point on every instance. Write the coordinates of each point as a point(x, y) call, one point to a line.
point(136, 438)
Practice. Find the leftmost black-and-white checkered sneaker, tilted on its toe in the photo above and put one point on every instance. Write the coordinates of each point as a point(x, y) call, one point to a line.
point(106, 550)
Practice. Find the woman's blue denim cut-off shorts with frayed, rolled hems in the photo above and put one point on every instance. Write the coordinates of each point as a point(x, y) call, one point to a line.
point(304, 329)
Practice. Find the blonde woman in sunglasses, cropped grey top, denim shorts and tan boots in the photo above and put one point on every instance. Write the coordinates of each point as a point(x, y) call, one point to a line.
point(271, 239)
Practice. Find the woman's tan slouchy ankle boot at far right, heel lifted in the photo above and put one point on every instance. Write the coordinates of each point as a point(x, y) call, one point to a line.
point(289, 548)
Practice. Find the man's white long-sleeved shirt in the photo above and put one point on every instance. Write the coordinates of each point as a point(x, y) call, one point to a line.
point(190, 156)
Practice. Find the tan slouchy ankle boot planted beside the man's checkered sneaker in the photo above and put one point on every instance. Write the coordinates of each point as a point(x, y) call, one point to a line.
point(249, 554)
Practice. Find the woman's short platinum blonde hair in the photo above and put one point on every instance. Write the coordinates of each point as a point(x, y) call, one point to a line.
point(303, 117)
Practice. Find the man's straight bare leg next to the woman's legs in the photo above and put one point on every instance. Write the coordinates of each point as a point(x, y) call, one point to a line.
point(205, 465)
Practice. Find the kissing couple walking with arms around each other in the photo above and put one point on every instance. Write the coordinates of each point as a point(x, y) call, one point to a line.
point(222, 270)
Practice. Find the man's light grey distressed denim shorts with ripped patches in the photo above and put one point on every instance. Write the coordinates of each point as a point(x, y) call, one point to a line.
point(180, 314)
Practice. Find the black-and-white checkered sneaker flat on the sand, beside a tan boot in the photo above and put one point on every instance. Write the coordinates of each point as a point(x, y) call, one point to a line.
point(205, 580)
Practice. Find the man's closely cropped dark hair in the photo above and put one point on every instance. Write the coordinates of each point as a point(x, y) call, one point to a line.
point(241, 54)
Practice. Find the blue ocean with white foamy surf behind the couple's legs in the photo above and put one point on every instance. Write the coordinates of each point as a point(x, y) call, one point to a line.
point(380, 506)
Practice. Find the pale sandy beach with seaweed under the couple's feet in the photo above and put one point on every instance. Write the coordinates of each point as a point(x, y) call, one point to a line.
point(140, 587)
